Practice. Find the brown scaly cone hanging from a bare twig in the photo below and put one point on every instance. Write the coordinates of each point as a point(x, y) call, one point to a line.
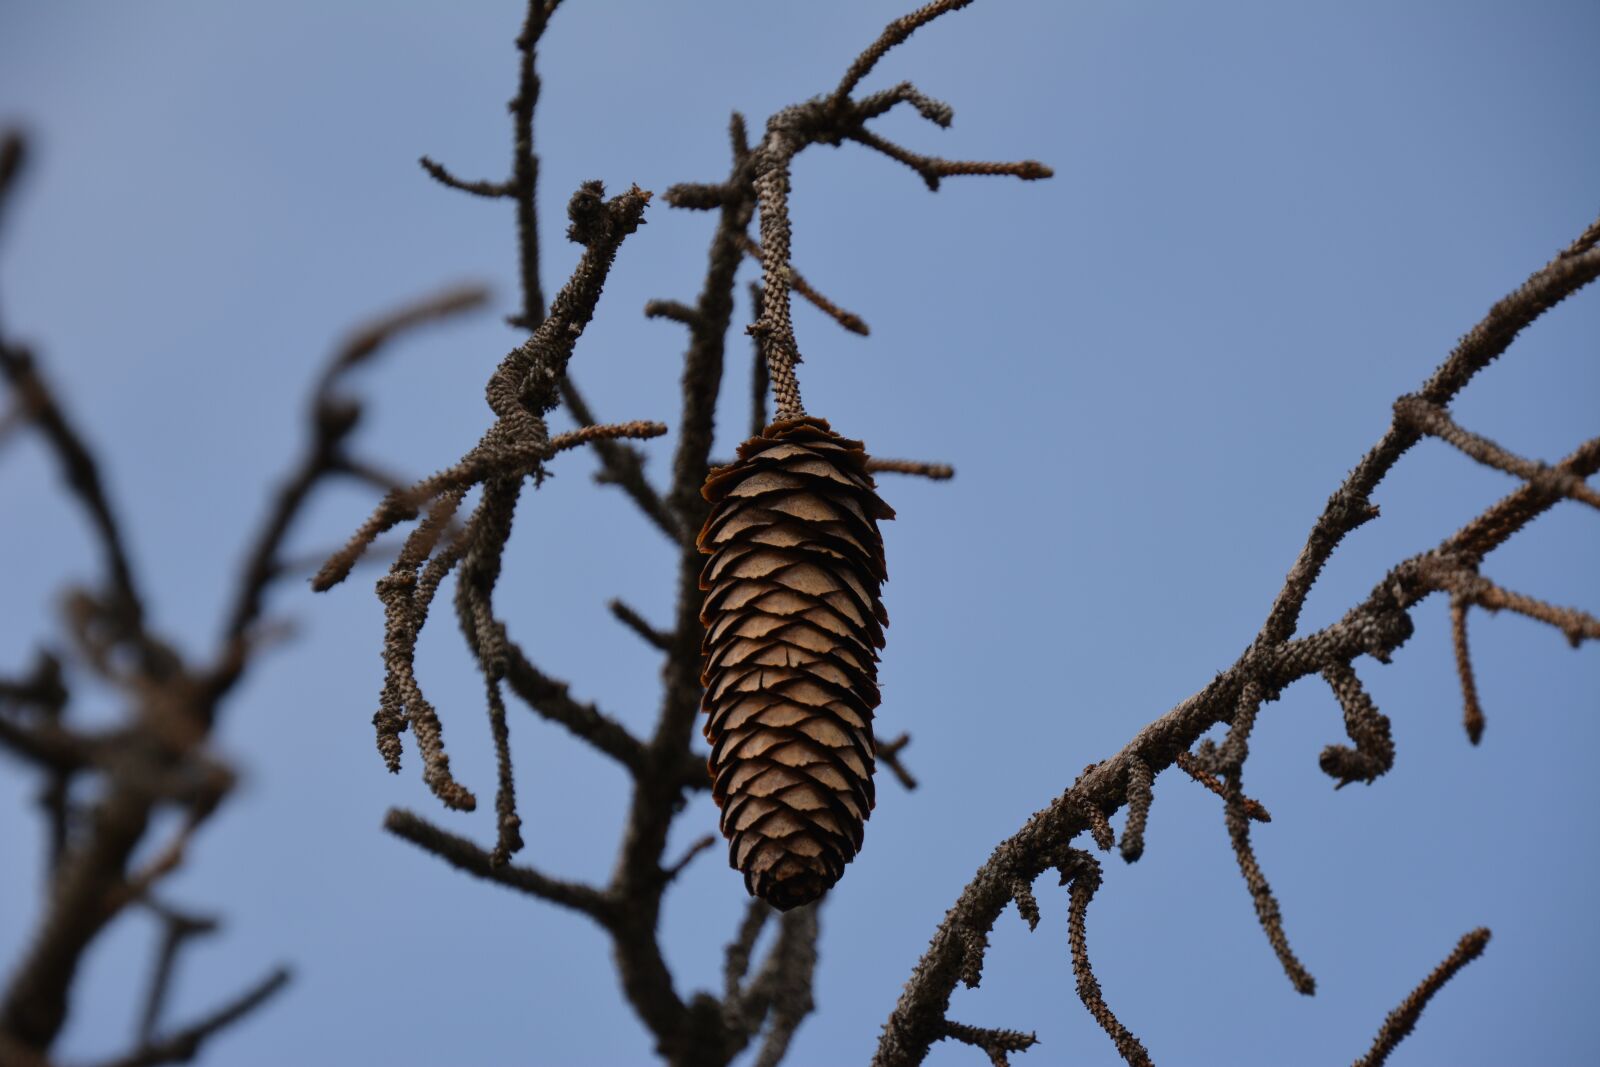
point(793, 628)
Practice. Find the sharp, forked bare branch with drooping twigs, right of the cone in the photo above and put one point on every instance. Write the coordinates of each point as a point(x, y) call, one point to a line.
point(1375, 628)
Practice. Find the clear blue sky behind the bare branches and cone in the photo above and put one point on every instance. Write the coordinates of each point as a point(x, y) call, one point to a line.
point(1268, 222)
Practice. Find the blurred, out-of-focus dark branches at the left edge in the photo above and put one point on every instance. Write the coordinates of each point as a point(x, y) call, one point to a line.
point(158, 759)
